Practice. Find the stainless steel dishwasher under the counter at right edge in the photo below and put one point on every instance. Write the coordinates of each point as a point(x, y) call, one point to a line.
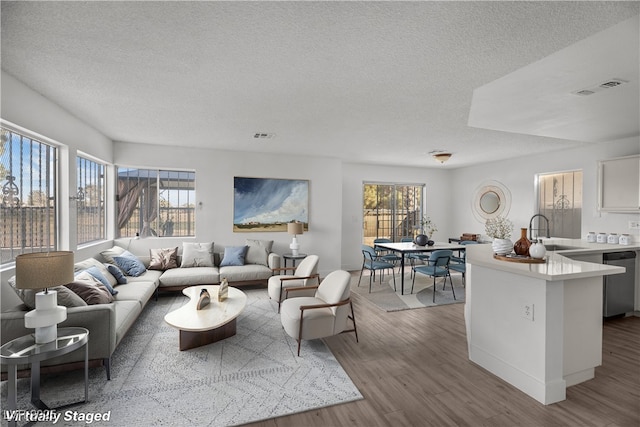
point(619, 289)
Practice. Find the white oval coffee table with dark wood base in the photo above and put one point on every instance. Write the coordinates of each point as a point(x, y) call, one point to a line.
point(213, 323)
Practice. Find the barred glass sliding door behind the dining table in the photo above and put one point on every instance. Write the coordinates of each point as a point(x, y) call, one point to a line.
point(391, 211)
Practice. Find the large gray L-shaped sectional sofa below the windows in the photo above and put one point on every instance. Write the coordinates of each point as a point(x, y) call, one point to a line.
point(108, 323)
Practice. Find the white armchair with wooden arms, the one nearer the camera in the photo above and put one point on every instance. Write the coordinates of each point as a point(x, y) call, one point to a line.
point(322, 315)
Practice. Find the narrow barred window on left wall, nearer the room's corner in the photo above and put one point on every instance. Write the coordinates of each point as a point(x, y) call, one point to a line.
point(90, 200)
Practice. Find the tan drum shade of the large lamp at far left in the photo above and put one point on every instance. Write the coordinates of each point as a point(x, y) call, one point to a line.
point(44, 269)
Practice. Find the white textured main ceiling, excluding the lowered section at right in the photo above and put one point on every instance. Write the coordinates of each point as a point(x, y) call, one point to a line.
point(368, 82)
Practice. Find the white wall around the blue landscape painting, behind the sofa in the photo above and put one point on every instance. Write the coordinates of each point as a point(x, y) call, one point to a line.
point(214, 188)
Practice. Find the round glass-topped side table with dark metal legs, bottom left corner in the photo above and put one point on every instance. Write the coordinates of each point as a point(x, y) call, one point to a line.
point(25, 351)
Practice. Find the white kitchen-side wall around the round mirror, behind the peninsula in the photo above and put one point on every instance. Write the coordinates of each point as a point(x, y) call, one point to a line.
point(518, 176)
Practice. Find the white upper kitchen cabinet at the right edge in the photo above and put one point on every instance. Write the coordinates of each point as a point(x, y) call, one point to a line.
point(619, 184)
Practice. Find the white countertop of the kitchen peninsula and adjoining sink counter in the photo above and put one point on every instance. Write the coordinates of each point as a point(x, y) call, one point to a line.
point(557, 267)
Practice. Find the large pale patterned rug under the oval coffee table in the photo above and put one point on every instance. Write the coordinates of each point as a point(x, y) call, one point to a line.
point(251, 376)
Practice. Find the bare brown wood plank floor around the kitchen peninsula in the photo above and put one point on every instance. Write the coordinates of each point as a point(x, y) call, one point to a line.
point(412, 369)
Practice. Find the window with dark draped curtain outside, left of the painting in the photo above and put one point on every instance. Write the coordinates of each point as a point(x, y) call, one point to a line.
point(156, 202)
